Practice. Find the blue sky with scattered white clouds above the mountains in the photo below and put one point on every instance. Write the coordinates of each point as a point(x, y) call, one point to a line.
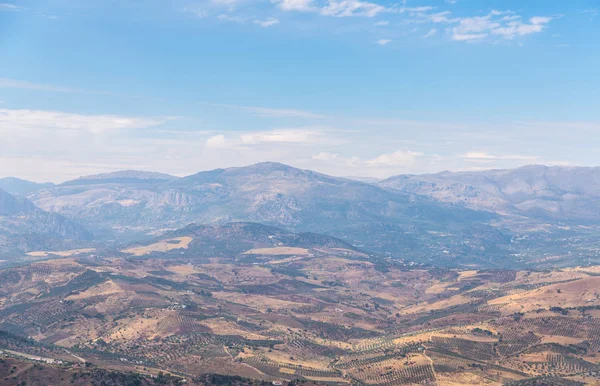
point(345, 87)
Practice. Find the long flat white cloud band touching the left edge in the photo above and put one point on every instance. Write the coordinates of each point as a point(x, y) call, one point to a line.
point(14, 120)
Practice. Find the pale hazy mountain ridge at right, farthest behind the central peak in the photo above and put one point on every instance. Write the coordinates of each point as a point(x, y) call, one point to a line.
point(558, 193)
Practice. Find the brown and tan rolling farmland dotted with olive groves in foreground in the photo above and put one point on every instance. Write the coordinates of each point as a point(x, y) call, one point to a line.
point(320, 318)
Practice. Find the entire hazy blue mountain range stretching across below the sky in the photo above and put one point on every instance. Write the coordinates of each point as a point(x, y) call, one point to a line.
point(529, 215)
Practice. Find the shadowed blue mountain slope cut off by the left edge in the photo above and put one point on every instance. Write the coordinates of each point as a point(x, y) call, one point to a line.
point(25, 228)
